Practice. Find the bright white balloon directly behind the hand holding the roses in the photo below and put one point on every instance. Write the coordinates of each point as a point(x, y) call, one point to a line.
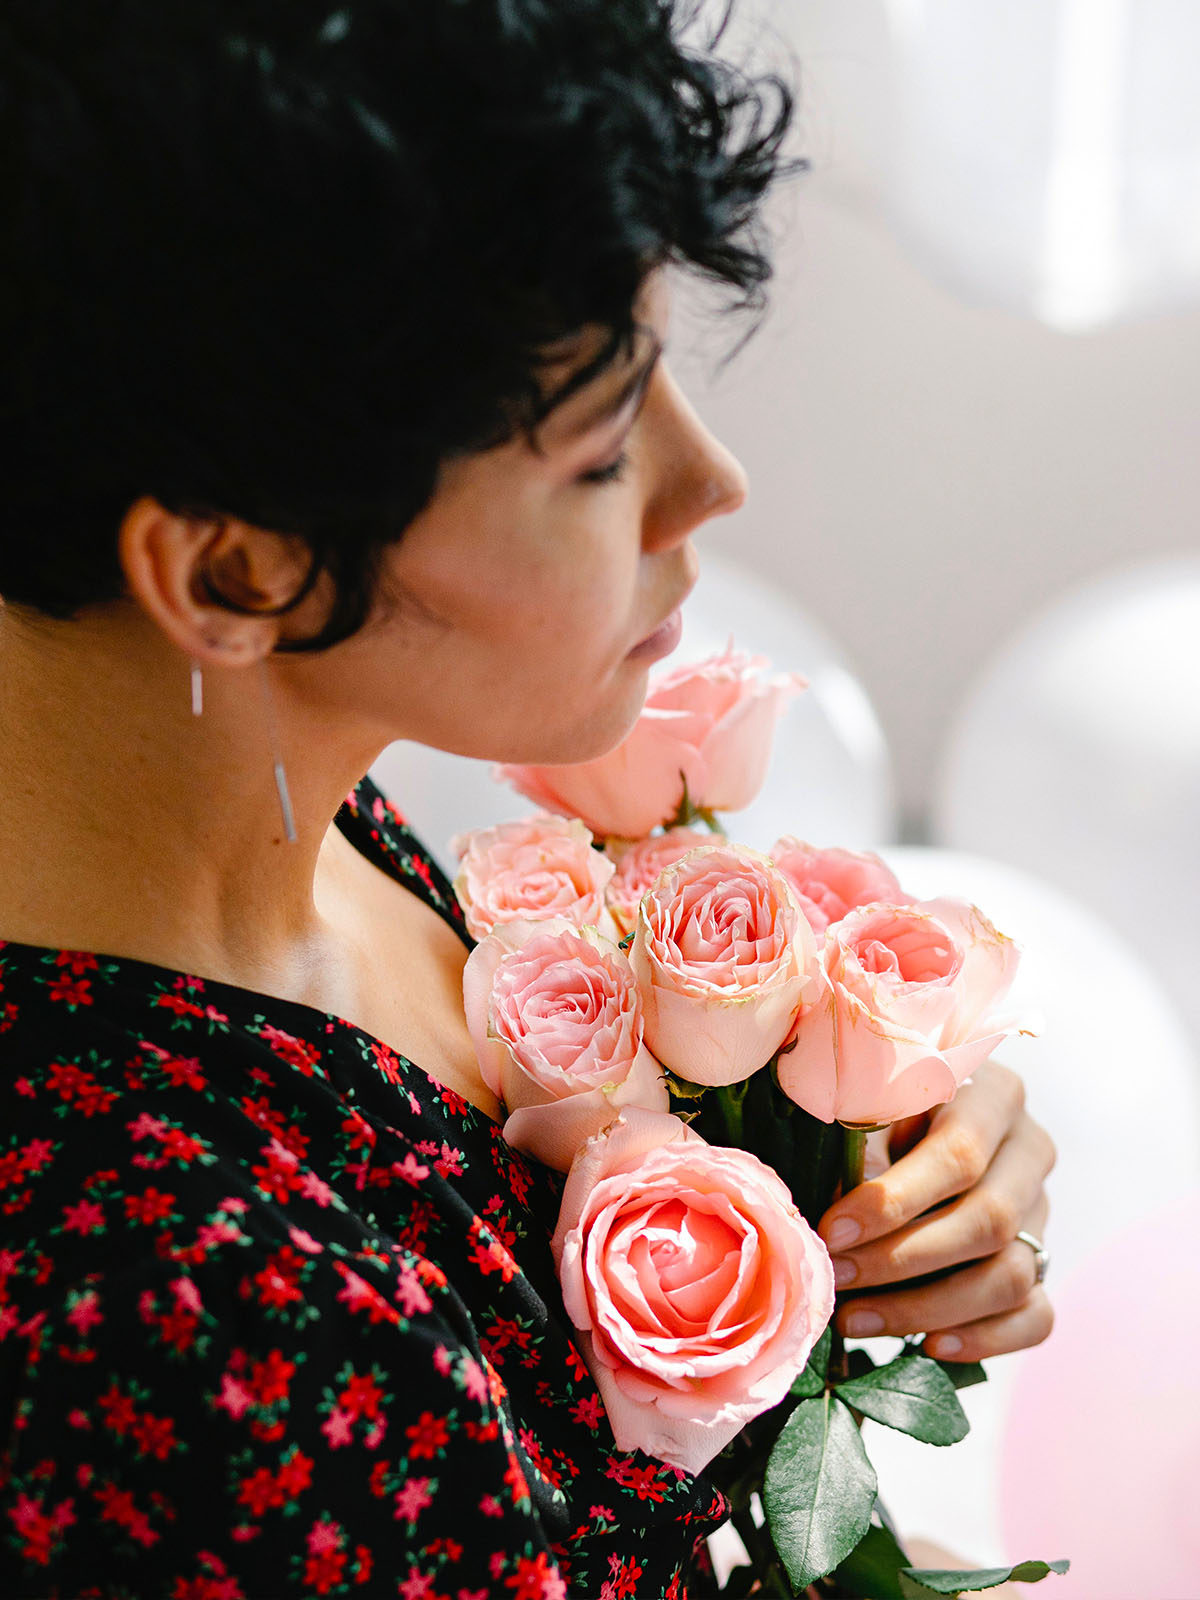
point(1113, 1078)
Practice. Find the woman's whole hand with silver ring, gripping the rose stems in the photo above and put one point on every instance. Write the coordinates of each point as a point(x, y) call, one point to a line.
point(964, 1183)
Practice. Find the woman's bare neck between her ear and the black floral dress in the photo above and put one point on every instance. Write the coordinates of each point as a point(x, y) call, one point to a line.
point(135, 828)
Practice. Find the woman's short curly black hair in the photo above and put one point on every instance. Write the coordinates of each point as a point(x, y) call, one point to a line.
point(278, 260)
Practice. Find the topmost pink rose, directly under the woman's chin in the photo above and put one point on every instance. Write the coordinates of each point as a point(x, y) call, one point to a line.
point(710, 724)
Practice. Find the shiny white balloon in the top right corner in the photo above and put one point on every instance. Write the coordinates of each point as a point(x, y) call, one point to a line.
point(1046, 154)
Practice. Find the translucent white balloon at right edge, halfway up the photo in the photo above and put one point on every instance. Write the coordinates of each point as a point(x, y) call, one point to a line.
point(1078, 756)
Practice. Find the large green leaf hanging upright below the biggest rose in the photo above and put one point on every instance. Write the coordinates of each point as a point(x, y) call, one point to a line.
point(820, 1490)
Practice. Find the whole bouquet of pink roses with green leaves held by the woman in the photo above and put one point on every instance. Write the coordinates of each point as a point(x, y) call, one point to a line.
point(700, 1036)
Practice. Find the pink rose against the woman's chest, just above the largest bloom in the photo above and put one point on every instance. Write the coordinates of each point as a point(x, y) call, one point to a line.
point(558, 1026)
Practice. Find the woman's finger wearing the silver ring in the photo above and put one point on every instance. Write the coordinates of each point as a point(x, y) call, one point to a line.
point(975, 1294)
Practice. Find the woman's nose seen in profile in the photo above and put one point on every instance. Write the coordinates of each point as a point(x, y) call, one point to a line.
point(695, 476)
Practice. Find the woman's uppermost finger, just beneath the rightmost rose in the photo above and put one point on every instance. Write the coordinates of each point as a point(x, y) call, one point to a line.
point(953, 1158)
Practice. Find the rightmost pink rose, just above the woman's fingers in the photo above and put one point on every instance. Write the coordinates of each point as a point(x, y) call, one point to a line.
point(905, 1014)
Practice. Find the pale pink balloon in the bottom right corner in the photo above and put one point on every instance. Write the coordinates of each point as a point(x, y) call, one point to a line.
point(1102, 1455)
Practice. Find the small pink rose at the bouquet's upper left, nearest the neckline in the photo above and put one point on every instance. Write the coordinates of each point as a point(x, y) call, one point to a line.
point(540, 866)
